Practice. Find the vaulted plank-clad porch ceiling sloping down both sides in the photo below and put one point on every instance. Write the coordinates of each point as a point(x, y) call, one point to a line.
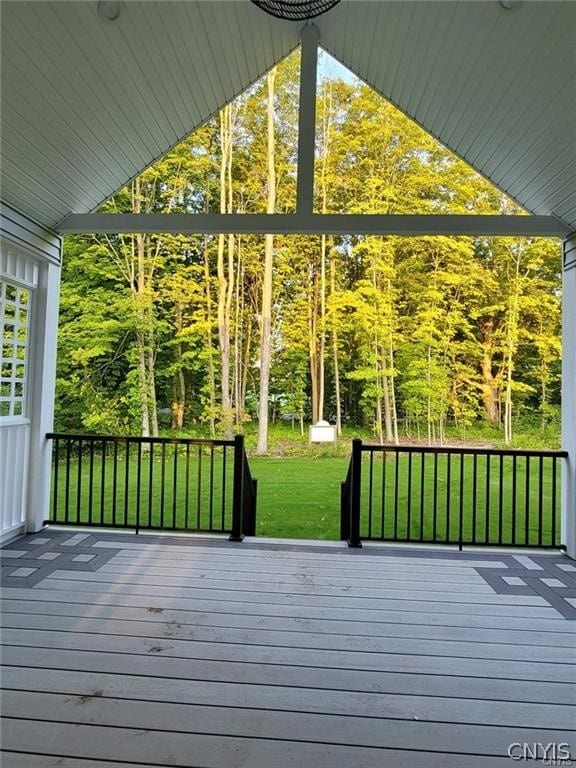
point(87, 104)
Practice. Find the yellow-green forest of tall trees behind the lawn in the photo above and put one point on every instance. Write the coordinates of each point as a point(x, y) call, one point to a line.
point(201, 334)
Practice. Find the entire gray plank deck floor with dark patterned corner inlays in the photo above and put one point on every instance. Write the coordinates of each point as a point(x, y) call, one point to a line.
point(136, 650)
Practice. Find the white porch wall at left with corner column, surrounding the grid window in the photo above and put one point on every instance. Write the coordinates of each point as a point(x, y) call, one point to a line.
point(29, 261)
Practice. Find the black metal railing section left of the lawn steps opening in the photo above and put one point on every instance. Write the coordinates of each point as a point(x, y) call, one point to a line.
point(153, 483)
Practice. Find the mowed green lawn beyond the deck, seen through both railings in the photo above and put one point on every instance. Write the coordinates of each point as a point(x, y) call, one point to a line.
point(299, 497)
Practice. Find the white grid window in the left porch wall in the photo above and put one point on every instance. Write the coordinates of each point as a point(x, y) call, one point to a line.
point(15, 335)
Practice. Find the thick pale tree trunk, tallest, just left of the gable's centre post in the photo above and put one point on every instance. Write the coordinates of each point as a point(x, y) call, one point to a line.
point(266, 328)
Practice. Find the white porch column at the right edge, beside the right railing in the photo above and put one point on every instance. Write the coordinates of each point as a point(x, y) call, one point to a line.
point(569, 395)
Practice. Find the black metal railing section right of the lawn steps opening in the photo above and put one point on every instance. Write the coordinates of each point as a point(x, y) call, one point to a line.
point(451, 495)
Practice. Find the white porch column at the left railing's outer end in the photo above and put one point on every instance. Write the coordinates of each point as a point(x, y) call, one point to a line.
point(42, 394)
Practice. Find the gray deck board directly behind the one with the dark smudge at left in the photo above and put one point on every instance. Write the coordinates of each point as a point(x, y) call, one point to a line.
point(276, 697)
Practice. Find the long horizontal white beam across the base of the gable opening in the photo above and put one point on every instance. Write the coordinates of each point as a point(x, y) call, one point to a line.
point(314, 224)
